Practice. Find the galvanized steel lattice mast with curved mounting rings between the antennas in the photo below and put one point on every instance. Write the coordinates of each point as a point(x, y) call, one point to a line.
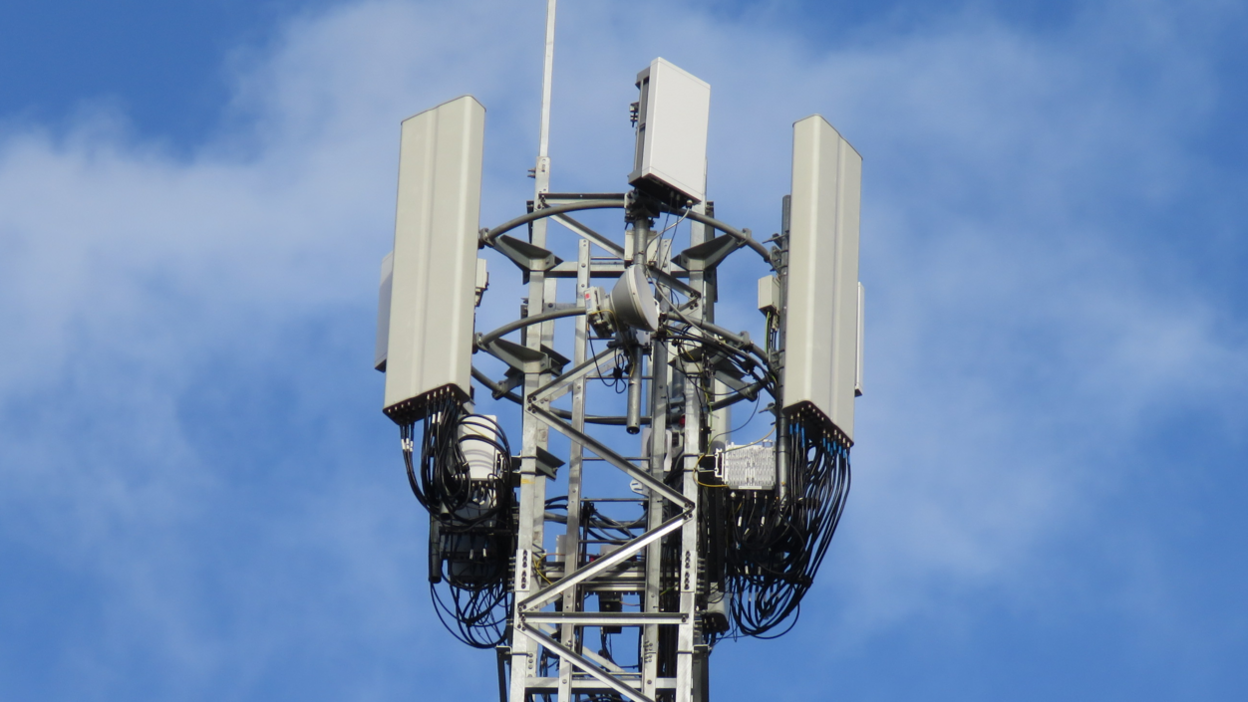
point(550, 614)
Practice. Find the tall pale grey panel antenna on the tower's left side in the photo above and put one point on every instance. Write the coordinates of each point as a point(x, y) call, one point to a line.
point(435, 268)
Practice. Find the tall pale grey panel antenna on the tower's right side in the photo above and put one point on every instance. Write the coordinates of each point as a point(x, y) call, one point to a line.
point(822, 333)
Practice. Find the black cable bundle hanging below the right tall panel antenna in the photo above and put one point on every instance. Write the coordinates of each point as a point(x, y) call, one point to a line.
point(776, 546)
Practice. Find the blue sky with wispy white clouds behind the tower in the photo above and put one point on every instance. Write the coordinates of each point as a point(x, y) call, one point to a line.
point(202, 500)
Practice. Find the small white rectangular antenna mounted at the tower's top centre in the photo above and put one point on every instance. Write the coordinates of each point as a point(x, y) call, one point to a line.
point(673, 113)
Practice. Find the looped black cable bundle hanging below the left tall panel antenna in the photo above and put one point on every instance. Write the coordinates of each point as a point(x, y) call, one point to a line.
point(472, 523)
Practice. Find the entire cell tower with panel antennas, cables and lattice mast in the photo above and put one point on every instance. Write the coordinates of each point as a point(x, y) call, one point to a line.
point(667, 536)
